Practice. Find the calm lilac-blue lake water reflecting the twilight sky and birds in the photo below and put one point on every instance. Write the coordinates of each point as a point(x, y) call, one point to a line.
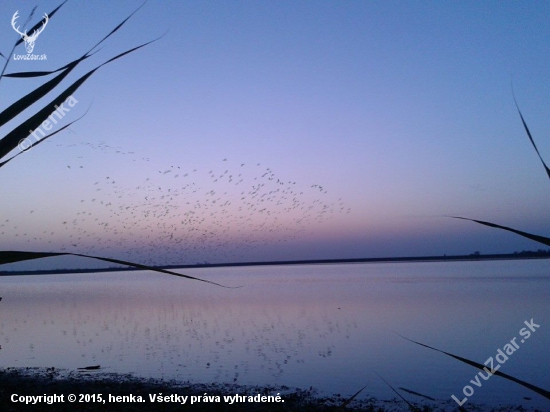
point(326, 326)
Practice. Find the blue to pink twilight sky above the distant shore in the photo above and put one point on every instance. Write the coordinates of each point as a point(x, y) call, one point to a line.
point(253, 131)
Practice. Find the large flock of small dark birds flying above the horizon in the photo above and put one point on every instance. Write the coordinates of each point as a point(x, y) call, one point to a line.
point(178, 215)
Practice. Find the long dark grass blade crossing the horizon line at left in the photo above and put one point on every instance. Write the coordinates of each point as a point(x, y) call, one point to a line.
point(13, 256)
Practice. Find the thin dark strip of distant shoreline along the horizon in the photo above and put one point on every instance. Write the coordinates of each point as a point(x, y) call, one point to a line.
point(451, 258)
